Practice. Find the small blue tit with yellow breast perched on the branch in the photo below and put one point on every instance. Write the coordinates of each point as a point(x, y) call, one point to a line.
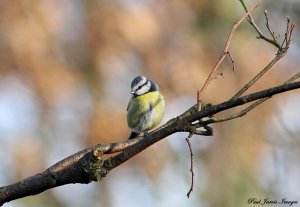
point(146, 107)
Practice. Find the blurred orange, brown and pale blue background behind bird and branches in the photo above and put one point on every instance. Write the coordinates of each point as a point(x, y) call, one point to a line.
point(65, 74)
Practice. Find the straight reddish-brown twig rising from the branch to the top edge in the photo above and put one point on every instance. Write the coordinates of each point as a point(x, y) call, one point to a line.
point(225, 51)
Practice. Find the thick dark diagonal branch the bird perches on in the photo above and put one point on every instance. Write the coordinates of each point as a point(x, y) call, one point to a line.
point(89, 165)
